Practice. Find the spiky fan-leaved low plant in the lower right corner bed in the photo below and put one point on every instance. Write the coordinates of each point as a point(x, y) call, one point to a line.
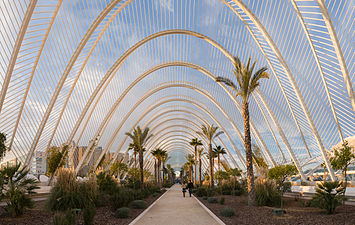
point(329, 195)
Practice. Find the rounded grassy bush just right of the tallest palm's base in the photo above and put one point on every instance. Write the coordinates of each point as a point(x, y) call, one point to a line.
point(267, 194)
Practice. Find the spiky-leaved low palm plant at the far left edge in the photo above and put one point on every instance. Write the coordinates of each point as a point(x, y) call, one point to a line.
point(16, 188)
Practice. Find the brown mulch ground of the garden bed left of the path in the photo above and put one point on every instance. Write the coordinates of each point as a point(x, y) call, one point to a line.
point(39, 216)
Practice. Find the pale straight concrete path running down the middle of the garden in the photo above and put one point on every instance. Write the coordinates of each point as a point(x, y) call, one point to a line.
point(173, 209)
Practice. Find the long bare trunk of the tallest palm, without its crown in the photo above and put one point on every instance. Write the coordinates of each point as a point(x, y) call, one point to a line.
point(249, 155)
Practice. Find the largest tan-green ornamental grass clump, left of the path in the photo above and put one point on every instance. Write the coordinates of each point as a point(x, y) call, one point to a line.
point(68, 193)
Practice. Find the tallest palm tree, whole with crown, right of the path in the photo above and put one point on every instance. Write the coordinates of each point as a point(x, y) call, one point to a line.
point(247, 83)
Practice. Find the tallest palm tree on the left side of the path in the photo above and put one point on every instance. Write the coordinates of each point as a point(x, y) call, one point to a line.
point(139, 138)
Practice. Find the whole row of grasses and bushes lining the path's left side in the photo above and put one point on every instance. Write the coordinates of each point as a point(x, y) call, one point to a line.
point(70, 197)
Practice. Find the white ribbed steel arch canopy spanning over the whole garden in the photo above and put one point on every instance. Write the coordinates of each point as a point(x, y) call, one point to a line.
point(61, 74)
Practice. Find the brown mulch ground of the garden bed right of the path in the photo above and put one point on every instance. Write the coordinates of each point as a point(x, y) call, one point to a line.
point(296, 213)
